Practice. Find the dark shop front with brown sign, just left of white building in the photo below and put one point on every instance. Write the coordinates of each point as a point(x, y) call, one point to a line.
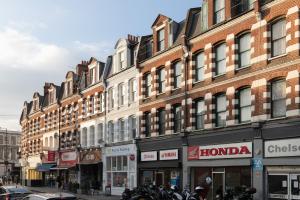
point(90, 165)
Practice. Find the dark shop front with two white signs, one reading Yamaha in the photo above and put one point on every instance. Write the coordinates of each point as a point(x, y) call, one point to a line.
point(160, 168)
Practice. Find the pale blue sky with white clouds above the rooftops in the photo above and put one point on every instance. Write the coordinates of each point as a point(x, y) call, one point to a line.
point(40, 40)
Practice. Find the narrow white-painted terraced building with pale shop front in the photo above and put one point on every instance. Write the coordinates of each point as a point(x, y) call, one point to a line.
point(120, 154)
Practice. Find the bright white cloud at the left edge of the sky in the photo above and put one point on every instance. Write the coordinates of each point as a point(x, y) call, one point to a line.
point(23, 51)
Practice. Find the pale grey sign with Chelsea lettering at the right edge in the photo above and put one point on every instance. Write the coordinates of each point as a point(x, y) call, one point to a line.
point(282, 148)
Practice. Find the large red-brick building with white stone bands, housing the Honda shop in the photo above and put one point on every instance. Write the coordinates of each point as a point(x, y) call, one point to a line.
point(227, 76)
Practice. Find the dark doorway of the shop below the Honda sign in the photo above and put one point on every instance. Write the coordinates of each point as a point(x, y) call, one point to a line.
point(218, 183)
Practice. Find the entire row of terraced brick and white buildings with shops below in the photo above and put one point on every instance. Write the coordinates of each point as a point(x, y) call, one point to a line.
point(215, 95)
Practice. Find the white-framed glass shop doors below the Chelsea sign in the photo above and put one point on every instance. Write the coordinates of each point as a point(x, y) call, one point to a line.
point(284, 186)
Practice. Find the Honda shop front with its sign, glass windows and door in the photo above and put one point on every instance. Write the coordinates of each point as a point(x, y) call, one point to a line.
point(220, 168)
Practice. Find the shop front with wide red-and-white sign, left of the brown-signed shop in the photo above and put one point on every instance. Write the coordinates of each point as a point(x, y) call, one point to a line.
point(67, 167)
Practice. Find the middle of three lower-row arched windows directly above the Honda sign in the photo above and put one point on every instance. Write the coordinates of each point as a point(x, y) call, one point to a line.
point(220, 110)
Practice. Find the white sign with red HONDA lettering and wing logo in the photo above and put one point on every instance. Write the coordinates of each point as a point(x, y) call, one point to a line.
point(222, 151)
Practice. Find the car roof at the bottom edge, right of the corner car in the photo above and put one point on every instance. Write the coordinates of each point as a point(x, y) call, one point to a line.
point(51, 196)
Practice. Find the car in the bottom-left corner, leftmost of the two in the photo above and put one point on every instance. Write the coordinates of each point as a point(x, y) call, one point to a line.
point(13, 192)
